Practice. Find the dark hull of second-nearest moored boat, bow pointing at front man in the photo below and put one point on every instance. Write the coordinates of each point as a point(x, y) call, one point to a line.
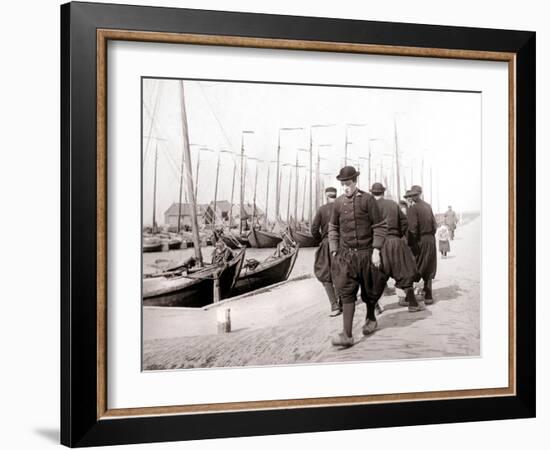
point(273, 270)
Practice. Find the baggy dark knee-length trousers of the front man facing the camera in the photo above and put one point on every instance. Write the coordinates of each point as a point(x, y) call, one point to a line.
point(353, 269)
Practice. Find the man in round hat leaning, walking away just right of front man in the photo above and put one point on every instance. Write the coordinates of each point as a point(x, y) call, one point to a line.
point(397, 259)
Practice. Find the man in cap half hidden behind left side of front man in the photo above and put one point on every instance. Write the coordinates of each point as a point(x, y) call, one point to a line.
point(321, 266)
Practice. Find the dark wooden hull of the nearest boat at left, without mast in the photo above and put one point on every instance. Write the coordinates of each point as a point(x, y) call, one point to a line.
point(192, 288)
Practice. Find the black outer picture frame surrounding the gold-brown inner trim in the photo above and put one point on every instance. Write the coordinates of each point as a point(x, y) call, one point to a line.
point(79, 424)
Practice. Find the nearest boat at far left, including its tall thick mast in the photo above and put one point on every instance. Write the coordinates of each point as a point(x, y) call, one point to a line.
point(202, 284)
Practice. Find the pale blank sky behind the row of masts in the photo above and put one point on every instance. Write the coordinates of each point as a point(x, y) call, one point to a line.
point(437, 131)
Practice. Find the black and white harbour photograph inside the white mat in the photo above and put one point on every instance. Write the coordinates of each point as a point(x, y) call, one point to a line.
point(292, 224)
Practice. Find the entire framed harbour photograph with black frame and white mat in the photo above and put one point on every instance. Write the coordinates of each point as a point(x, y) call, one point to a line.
point(276, 224)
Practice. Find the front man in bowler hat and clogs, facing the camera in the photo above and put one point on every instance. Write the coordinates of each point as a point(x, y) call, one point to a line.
point(356, 233)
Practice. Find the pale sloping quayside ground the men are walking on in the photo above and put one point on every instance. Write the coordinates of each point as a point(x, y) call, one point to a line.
point(290, 324)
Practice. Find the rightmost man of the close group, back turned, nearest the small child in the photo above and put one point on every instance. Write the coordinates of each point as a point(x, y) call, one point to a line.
point(422, 225)
